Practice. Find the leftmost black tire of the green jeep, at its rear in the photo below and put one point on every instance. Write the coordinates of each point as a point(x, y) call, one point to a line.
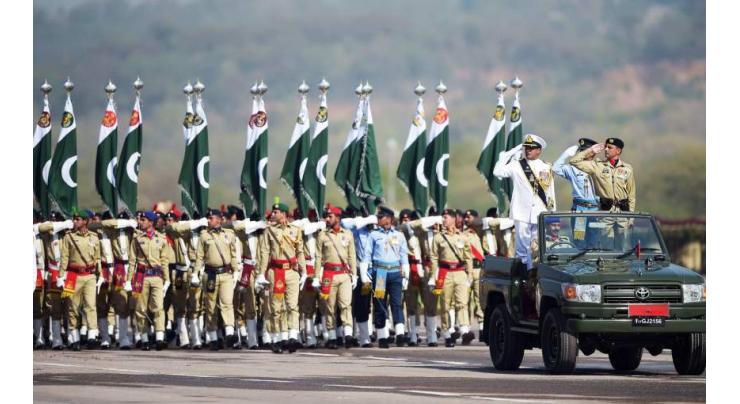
point(505, 346)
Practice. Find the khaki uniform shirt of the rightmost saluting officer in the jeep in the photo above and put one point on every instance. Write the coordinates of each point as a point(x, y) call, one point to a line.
point(615, 183)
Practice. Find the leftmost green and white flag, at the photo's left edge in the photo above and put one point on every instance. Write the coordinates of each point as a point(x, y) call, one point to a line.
point(42, 158)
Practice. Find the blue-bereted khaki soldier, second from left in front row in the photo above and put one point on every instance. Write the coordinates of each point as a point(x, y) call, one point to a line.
point(148, 278)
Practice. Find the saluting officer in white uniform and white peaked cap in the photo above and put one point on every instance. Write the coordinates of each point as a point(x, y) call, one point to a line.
point(534, 190)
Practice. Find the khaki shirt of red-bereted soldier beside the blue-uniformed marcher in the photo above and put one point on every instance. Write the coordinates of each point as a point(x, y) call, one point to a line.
point(337, 248)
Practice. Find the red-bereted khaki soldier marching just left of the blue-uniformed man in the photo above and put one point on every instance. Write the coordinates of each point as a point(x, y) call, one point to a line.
point(336, 267)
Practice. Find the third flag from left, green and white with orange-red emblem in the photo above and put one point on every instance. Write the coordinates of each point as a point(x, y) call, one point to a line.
point(105, 160)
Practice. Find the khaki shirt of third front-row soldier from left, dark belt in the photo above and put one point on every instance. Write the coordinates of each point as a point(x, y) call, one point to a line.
point(217, 248)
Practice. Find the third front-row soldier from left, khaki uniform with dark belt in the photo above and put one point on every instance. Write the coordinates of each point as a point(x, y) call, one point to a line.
point(217, 258)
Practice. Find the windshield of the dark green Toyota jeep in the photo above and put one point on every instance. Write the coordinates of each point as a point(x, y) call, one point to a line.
point(581, 235)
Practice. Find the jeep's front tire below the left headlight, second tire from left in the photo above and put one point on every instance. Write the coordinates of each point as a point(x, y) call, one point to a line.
point(559, 345)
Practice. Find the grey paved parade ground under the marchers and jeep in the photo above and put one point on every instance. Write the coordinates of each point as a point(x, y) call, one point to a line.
point(408, 375)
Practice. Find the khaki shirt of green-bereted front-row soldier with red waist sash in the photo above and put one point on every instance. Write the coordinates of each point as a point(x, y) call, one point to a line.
point(282, 242)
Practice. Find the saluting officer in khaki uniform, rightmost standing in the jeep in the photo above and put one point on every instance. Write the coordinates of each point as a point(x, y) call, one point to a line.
point(614, 179)
